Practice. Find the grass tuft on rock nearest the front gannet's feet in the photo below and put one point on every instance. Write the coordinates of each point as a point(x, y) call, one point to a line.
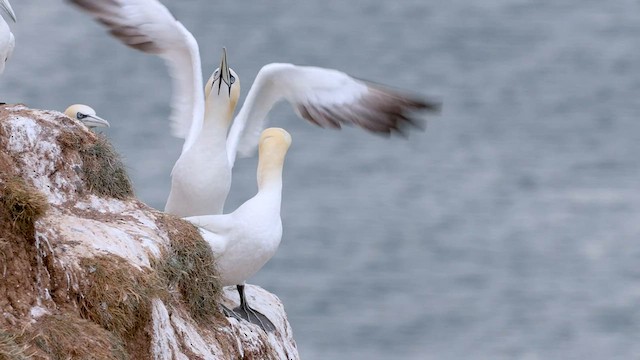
point(189, 266)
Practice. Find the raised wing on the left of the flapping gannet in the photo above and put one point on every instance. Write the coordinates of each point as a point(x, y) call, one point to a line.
point(148, 26)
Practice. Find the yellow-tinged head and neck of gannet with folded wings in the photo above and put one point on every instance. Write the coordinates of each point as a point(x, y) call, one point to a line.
point(272, 148)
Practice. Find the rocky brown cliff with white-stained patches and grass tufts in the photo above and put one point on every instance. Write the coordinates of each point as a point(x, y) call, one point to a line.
point(88, 271)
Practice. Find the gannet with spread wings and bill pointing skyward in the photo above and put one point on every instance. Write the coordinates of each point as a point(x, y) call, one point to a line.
point(325, 97)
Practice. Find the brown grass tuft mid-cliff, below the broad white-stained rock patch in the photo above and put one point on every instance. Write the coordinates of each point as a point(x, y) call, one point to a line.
point(117, 295)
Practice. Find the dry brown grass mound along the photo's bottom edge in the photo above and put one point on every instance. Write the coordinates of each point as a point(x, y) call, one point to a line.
point(70, 337)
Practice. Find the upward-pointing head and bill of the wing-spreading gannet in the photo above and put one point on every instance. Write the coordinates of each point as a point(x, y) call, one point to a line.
point(223, 88)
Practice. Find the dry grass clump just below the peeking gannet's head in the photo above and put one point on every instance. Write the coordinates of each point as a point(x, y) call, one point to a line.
point(102, 169)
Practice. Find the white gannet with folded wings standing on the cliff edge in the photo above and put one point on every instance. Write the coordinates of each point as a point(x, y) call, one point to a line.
point(244, 240)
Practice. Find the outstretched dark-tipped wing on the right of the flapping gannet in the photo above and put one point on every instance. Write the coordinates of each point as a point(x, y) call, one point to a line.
point(325, 97)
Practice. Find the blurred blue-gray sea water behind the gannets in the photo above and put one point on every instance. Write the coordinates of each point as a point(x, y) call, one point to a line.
point(508, 230)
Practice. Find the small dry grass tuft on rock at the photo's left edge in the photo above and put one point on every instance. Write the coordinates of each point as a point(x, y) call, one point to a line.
point(23, 205)
